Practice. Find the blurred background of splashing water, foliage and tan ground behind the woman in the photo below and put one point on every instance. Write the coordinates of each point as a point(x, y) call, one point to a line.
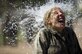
point(20, 20)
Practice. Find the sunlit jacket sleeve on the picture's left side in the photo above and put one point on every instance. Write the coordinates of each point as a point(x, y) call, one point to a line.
point(40, 43)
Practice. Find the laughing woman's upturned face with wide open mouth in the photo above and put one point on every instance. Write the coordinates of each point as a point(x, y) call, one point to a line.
point(57, 19)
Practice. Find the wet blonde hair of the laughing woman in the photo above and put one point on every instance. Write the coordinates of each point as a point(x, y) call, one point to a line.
point(47, 16)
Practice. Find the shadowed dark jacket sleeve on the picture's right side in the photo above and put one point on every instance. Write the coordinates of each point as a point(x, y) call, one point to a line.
point(74, 47)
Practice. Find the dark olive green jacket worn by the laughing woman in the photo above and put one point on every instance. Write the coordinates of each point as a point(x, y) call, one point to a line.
point(53, 42)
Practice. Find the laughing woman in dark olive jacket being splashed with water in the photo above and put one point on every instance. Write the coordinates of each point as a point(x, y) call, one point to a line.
point(55, 38)
